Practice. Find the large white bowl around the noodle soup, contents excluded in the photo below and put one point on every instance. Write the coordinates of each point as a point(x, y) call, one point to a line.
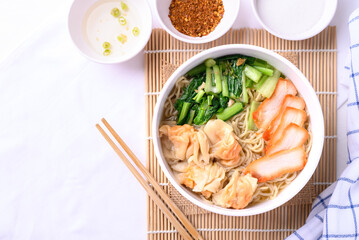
point(304, 88)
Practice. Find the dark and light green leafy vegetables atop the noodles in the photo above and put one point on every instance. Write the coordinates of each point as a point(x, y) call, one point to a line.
point(224, 80)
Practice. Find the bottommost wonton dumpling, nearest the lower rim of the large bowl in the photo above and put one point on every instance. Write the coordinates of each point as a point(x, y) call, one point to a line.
point(237, 193)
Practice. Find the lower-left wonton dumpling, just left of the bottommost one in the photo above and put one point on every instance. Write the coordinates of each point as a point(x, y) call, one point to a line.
point(206, 180)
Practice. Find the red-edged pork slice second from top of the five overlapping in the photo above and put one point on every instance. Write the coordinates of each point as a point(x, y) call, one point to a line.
point(289, 101)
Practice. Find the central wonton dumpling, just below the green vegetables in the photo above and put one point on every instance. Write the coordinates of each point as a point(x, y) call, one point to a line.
point(225, 146)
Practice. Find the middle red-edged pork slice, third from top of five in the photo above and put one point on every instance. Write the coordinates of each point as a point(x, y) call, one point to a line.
point(290, 115)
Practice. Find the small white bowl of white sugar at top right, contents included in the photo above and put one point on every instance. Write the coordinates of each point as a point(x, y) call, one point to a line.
point(280, 21)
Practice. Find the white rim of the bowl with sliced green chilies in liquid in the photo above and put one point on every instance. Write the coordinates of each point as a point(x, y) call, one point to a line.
point(129, 56)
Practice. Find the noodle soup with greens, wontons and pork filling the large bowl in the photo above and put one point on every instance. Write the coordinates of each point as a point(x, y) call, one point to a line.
point(235, 131)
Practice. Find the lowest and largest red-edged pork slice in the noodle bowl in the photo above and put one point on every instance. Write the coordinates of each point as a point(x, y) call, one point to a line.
point(272, 166)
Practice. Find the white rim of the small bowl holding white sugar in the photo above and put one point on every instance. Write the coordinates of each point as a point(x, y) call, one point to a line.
point(305, 35)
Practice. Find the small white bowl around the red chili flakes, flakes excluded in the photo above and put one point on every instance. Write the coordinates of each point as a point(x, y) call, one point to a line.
point(231, 8)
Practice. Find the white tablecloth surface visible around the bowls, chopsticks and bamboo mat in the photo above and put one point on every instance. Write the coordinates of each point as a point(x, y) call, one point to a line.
point(83, 191)
